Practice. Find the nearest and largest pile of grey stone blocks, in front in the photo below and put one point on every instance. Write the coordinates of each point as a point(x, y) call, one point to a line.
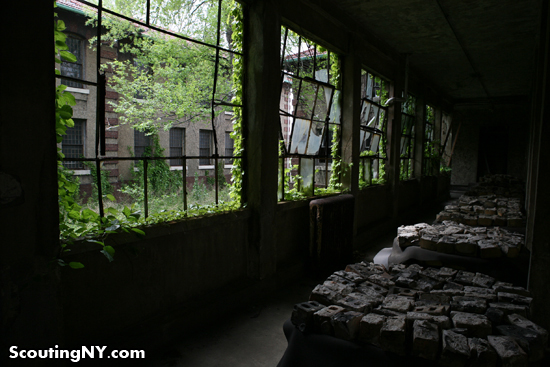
point(453, 317)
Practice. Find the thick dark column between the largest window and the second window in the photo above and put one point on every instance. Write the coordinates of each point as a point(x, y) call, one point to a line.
point(262, 88)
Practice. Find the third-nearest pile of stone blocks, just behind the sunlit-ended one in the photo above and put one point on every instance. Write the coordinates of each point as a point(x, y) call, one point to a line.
point(488, 210)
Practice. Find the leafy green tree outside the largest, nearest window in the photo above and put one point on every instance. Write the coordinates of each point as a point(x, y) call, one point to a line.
point(162, 79)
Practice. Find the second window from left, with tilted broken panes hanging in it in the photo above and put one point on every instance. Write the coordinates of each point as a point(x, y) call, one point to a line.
point(309, 114)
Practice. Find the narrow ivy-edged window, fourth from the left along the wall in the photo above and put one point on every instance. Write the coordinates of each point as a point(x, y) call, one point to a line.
point(408, 119)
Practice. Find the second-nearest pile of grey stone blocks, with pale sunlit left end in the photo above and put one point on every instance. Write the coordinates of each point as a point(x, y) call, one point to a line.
point(455, 238)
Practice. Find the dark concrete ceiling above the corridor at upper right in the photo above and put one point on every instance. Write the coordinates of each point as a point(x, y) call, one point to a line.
point(470, 49)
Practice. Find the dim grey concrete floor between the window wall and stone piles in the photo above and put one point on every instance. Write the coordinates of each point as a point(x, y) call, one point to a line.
point(254, 337)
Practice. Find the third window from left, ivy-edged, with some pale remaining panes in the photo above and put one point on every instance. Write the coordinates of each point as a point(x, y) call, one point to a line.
point(373, 129)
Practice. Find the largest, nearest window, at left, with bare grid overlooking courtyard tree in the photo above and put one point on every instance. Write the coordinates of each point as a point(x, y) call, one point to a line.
point(168, 70)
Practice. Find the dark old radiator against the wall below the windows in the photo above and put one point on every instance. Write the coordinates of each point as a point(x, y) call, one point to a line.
point(331, 232)
